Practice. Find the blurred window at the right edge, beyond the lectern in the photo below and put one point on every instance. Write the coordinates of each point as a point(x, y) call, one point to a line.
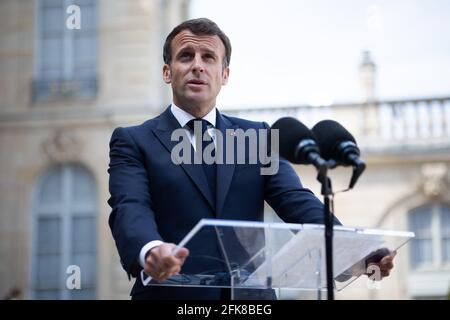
point(431, 246)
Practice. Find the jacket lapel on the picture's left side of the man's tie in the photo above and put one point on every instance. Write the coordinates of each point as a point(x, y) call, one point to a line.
point(167, 123)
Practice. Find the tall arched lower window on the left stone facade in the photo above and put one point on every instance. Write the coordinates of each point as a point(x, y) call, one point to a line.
point(64, 225)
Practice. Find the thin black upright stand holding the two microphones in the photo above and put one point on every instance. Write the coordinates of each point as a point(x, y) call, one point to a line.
point(327, 193)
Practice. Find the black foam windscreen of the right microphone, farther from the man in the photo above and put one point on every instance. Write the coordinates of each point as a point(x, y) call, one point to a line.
point(329, 134)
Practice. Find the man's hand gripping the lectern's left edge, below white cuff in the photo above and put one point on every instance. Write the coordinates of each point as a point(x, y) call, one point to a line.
point(161, 263)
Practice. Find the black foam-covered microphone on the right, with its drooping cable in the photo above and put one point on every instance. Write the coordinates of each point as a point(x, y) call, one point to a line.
point(337, 144)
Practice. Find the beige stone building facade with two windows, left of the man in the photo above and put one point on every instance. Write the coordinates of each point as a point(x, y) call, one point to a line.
point(62, 92)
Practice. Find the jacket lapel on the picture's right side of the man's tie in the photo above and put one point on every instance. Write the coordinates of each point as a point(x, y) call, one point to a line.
point(224, 171)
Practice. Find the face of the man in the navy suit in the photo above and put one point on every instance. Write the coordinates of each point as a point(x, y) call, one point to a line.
point(196, 72)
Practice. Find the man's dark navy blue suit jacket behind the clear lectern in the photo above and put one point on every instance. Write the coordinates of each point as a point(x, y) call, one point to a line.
point(155, 199)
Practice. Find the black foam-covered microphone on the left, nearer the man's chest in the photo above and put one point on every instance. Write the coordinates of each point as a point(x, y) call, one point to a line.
point(298, 143)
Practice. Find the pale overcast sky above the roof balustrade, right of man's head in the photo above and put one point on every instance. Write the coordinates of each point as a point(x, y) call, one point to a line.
point(291, 52)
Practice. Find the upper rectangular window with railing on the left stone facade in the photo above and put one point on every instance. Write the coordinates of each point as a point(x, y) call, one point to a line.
point(66, 58)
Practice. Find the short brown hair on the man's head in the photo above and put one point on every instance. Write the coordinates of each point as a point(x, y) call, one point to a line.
point(198, 26)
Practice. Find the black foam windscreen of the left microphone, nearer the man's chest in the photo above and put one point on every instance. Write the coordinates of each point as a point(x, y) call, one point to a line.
point(291, 133)
